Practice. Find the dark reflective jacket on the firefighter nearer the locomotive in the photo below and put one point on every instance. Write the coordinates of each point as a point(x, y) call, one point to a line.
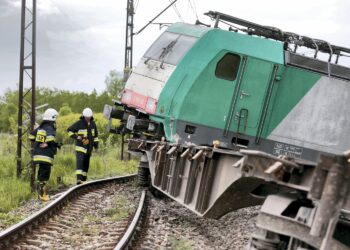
point(83, 130)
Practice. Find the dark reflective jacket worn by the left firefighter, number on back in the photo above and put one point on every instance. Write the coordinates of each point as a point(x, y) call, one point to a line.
point(45, 133)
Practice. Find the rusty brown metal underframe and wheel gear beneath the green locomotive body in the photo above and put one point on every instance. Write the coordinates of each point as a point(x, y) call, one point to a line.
point(304, 206)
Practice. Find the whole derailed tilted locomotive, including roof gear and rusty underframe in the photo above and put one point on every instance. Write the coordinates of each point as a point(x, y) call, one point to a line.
point(227, 119)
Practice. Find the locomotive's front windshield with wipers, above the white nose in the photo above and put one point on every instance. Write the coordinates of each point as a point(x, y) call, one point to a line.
point(170, 47)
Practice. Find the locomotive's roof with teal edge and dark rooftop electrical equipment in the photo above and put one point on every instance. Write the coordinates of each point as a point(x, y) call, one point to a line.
point(272, 49)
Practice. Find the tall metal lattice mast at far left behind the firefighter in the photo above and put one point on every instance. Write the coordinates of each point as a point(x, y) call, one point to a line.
point(26, 93)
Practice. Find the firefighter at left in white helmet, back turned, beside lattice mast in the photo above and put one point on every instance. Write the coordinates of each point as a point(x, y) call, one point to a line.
point(45, 148)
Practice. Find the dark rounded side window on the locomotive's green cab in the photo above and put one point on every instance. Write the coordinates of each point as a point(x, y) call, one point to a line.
point(227, 67)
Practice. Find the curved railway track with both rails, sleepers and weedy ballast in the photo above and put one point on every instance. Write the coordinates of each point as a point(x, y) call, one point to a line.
point(103, 214)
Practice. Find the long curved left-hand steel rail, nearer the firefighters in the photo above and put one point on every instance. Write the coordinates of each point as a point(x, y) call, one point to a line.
point(27, 225)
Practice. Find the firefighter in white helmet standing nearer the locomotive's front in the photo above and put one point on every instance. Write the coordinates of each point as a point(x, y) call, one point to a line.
point(85, 134)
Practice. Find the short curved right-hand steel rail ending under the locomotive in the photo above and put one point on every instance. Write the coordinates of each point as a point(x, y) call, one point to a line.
point(130, 234)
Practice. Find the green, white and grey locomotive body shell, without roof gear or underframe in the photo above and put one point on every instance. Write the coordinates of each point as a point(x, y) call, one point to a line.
point(242, 91)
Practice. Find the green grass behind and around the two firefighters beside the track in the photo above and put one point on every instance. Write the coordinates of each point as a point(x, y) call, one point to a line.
point(15, 191)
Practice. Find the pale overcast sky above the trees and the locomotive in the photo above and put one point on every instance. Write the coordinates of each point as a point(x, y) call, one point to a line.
point(80, 41)
